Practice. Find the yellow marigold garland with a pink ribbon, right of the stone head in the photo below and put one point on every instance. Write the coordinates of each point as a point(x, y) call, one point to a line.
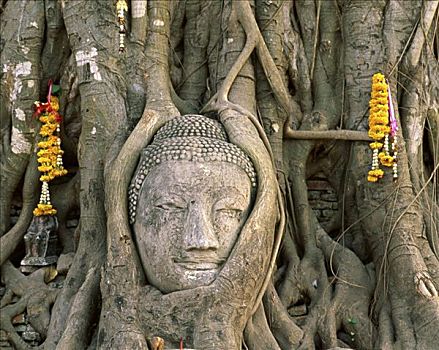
point(382, 129)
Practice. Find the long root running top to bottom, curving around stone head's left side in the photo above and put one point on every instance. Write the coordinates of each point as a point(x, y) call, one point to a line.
point(123, 275)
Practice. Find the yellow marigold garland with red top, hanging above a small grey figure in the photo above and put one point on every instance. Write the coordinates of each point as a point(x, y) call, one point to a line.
point(49, 150)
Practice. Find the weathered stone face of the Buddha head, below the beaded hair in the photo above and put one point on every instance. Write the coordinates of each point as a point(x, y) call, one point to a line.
point(188, 218)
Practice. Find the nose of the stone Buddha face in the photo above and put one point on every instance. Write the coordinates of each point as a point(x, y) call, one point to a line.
point(199, 233)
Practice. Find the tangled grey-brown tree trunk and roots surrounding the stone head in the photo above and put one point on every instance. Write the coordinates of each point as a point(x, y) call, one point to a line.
point(291, 82)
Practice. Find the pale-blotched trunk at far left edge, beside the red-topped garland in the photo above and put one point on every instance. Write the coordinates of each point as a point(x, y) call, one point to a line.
point(17, 149)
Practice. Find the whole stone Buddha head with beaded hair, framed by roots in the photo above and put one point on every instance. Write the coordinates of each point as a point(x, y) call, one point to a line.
point(188, 201)
